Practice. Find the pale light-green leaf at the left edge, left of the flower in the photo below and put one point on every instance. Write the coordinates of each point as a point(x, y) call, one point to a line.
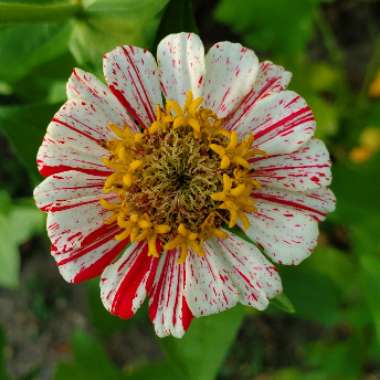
point(17, 225)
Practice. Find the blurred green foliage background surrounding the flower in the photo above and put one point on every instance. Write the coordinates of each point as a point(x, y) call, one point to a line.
point(335, 292)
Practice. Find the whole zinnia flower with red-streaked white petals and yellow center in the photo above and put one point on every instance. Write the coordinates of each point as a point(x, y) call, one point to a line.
point(149, 178)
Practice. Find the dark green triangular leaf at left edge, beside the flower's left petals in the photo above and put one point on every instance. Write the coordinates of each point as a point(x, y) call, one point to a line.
point(25, 127)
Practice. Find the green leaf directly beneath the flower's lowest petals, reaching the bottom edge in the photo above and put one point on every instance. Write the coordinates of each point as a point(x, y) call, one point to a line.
point(199, 354)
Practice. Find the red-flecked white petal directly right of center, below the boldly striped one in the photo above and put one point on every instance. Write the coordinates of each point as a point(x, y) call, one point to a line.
point(306, 169)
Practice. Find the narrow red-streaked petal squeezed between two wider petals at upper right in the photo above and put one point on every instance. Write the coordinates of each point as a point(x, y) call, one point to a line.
point(270, 79)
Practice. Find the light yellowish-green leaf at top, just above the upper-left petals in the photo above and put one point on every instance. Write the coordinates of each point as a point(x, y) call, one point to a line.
point(108, 24)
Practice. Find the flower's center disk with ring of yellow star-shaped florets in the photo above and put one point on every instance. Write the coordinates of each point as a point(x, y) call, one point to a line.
point(179, 181)
